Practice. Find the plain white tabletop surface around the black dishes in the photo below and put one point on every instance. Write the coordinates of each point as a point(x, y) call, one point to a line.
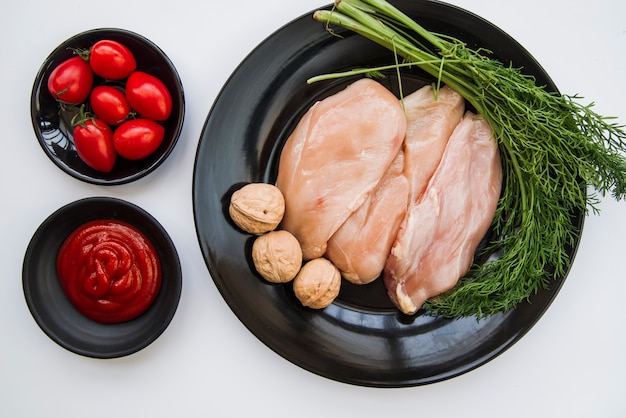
point(571, 364)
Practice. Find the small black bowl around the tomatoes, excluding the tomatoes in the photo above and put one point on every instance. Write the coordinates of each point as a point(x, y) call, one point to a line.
point(52, 124)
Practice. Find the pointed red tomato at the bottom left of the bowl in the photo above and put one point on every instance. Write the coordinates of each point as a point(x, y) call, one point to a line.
point(93, 140)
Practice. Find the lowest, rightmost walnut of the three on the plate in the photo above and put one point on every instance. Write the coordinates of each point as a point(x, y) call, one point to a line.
point(317, 284)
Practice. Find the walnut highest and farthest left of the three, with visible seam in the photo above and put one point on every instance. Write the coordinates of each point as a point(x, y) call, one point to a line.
point(257, 207)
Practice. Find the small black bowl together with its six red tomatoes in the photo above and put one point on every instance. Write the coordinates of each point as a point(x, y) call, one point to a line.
point(63, 116)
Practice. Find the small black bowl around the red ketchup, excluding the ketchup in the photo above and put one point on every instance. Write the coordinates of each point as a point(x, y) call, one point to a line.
point(53, 312)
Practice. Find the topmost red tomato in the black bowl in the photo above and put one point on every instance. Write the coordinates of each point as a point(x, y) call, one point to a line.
point(111, 60)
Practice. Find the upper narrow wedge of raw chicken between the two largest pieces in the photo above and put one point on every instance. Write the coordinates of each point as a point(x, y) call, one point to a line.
point(431, 121)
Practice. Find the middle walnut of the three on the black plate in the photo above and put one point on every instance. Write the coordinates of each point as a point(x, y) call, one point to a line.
point(277, 256)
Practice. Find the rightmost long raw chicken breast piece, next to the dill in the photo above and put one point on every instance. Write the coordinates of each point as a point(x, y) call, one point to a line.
point(437, 241)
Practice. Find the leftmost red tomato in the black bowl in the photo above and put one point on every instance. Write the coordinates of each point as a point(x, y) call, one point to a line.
point(71, 81)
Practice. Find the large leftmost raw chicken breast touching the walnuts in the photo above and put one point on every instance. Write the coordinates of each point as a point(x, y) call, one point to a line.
point(336, 155)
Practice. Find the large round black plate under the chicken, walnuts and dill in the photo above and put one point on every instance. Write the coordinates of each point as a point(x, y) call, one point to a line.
point(360, 339)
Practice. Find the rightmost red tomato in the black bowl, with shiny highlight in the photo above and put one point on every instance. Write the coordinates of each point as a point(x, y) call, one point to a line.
point(148, 96)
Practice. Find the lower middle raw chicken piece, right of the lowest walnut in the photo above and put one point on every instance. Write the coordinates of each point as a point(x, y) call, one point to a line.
point(361, 245)
